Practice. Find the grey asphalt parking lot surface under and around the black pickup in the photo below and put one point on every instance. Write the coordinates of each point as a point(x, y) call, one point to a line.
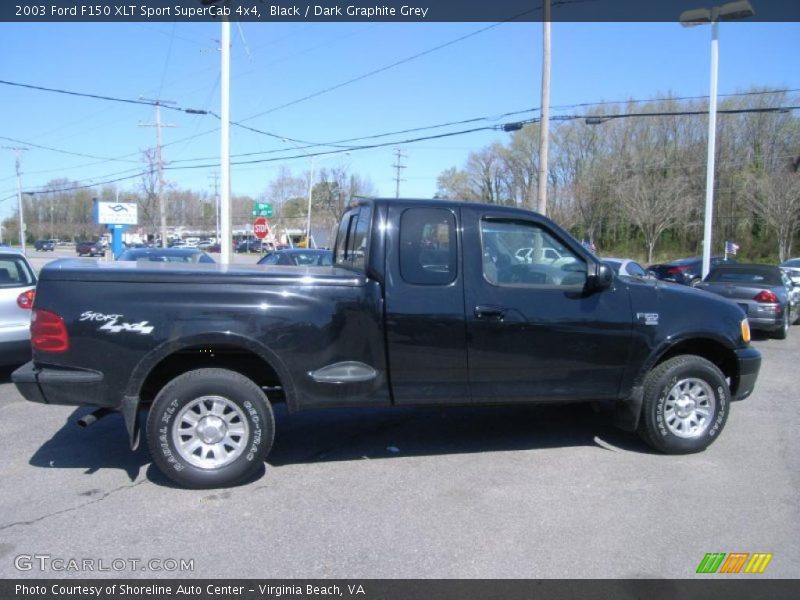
point(503, 492)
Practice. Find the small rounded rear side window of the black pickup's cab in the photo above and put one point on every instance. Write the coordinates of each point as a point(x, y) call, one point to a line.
point(428, 246)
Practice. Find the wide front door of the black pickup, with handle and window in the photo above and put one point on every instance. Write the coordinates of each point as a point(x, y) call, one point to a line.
point(534, 333)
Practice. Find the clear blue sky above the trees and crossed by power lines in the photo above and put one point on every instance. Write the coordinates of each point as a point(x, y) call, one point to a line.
point(326, 82)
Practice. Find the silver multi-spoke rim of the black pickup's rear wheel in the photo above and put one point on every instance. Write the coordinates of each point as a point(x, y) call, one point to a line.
point(210, 432)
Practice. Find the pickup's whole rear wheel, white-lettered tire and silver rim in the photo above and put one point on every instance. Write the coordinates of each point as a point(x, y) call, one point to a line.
point(210, 428)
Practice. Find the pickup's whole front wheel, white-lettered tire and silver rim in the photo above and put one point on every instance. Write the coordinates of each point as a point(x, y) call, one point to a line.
point(685, 405)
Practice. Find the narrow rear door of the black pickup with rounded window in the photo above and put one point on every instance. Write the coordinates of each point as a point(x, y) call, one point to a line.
point(425, 324)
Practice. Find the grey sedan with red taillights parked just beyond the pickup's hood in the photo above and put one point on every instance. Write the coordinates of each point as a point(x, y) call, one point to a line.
point(764, 292)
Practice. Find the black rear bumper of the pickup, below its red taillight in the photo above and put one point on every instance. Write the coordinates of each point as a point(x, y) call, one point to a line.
point(60, 386)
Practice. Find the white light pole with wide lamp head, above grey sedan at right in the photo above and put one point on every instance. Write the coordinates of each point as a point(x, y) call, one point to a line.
point(700, 16)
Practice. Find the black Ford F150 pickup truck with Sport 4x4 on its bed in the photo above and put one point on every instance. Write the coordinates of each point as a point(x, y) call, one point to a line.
point(427, 303)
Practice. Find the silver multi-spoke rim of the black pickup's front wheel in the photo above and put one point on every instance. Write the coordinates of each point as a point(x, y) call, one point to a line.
point(689, 408)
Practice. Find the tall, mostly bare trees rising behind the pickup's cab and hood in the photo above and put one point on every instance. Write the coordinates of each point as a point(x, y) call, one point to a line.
point(635, 186)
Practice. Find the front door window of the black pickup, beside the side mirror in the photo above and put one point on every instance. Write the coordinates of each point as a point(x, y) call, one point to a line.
point(524, 253)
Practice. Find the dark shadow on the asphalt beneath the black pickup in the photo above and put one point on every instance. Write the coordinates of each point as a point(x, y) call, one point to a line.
point(356, 434)
